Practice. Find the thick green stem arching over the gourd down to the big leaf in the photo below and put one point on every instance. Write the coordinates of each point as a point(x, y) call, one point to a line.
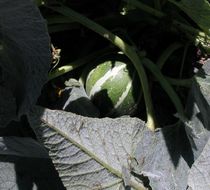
point(128, 50)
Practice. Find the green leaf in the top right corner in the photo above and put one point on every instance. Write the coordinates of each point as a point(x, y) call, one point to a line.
point(198, 10)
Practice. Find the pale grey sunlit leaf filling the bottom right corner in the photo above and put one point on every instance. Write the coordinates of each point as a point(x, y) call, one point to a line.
point(199, 174)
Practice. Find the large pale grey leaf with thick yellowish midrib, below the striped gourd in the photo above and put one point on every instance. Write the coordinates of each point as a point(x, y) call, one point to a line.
point(96, 153)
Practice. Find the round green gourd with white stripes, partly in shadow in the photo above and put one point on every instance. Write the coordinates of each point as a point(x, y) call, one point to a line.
point(113, 86)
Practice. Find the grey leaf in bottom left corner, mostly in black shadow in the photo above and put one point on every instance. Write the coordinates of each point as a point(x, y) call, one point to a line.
point(25, 164)
